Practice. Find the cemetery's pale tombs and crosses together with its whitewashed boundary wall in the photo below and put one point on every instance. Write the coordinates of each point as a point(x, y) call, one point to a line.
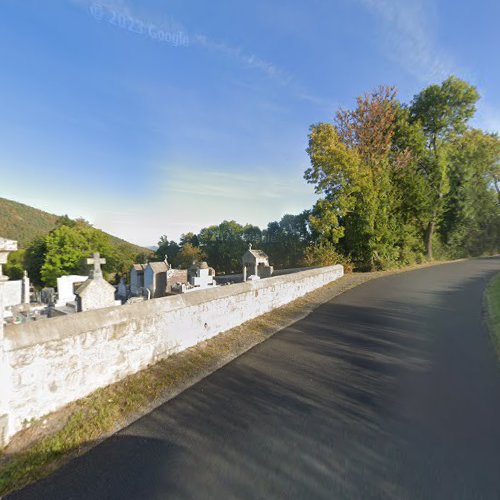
point(47, 364)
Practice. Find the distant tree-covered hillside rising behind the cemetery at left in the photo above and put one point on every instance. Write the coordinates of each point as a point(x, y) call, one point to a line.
point(24, 223)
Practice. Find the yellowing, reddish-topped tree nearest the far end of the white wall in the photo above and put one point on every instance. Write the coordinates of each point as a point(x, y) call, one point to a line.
point(350, 166)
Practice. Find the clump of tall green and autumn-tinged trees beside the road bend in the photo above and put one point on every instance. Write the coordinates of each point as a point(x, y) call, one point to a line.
point(397, 181)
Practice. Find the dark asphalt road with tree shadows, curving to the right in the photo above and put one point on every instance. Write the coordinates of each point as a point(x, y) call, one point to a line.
point(391, 390)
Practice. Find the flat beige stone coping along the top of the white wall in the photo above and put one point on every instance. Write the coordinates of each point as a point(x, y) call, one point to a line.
point(47, 330)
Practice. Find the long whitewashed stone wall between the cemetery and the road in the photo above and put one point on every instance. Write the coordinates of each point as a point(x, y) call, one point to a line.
point(56, 361)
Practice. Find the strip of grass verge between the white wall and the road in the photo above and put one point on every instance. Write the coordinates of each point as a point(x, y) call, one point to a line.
point(50, 442)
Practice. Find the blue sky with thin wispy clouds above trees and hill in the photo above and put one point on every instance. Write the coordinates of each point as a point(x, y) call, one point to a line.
point(162, 117)
